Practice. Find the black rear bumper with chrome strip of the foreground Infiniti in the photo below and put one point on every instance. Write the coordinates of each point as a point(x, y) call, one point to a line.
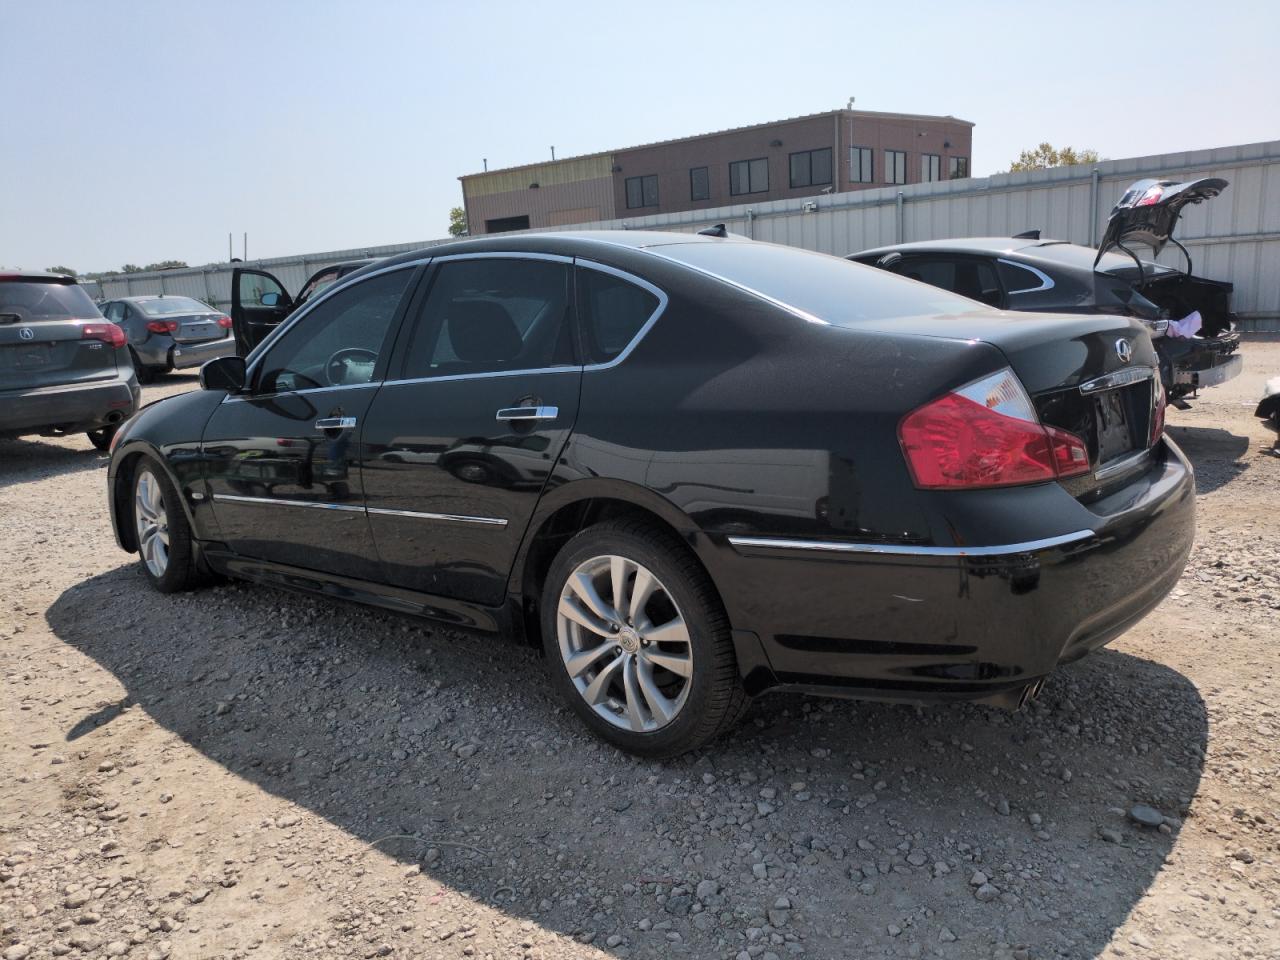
point(976, 624)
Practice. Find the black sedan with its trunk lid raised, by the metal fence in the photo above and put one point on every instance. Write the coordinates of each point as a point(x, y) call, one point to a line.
point(1190, 317)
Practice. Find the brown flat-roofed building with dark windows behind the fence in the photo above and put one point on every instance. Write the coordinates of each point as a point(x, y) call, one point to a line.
point(793, 158)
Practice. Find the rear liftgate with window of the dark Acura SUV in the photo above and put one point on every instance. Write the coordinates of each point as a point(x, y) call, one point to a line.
point(43, 339)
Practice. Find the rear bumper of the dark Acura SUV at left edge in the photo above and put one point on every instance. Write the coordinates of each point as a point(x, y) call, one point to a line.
point(68, 408)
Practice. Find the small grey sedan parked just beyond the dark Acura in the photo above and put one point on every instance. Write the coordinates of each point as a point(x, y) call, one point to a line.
point(171, 333)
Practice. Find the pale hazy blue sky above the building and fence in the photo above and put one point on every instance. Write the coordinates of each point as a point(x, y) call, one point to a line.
point(136, 132)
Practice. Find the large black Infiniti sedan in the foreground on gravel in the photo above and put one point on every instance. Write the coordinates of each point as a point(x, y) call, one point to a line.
point(693, 469)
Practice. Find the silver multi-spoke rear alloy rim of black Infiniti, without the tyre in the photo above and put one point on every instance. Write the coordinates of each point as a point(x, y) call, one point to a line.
point(625, 643)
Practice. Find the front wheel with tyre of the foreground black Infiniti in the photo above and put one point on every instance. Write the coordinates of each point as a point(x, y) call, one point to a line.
point(164, 538)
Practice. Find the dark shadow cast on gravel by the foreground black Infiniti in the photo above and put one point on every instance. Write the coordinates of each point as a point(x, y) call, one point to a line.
point(828, 828)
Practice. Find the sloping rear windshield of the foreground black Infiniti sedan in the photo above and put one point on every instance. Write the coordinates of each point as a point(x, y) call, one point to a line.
point(830, 289)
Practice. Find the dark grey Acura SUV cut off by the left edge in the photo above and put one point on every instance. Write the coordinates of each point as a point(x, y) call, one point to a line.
point(63, 368)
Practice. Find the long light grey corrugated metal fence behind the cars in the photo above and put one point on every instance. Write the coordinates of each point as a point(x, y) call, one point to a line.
point(1235, 237)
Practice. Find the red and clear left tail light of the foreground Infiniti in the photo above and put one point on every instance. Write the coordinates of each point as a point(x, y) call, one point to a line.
point(988, 435)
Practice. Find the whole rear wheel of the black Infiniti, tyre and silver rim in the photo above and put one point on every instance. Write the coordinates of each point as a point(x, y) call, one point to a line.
point(638, 642)
